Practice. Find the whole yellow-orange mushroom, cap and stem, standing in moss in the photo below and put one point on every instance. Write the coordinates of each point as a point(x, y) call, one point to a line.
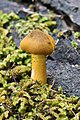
point(39, 44)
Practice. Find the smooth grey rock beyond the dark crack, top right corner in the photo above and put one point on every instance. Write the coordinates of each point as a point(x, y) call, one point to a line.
point(69, 8)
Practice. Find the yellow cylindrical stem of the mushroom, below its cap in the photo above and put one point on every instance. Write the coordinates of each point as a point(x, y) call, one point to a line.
point(39, 68)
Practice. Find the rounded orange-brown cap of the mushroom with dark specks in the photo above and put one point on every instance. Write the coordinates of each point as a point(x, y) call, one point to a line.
point(38, 42)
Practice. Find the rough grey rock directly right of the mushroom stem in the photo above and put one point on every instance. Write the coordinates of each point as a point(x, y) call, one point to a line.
point(64, 68)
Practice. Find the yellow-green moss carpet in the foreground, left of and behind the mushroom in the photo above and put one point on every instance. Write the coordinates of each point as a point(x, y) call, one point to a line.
point(20, 97)
